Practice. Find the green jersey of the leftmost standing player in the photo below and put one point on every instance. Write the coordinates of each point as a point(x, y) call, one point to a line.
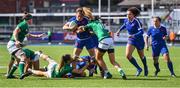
point(24, 29)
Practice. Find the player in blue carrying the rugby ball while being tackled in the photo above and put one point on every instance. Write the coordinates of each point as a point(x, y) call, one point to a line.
point(83, 38)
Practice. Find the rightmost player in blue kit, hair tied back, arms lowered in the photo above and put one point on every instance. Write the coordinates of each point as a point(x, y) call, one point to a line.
point(159, 34)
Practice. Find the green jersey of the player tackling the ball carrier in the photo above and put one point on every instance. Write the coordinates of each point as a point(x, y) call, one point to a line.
point(98, 28)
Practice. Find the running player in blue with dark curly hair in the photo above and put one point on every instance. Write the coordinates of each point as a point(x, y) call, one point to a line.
point(135, 39)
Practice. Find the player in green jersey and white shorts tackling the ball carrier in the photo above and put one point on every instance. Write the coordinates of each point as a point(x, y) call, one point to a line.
point(105, 45)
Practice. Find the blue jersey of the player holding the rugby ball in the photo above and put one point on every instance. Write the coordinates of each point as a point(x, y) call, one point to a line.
point(82, 35)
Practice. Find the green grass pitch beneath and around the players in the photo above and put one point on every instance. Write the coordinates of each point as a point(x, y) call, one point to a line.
point(163, 80)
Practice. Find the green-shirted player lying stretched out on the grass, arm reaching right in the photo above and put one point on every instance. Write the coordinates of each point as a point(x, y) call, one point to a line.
point(55, 70)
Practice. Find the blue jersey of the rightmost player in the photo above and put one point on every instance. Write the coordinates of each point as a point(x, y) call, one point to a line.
point(157, 34)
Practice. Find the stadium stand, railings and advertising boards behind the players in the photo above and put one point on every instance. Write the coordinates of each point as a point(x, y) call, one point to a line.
point(50, 15)
